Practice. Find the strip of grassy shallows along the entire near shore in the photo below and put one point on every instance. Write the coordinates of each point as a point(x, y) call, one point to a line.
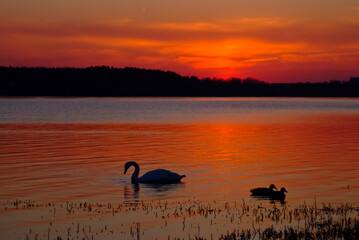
point(177, 220)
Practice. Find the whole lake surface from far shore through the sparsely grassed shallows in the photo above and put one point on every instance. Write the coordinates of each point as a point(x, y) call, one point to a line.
point(58, 152)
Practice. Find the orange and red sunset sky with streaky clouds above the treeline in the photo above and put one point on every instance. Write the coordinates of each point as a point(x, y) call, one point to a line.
point(269, 40)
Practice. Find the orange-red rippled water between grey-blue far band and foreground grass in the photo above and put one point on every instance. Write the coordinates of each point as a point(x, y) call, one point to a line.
point(314, 156)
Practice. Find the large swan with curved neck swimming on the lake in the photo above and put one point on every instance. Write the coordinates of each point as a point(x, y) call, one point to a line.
point(159, 176)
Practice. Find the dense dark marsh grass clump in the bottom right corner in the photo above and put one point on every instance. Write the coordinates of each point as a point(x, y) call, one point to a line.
point(340, 222)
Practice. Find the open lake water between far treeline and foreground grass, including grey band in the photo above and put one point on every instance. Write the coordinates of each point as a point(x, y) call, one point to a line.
point(71, 150)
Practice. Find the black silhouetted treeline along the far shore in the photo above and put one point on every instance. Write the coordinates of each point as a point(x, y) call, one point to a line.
point(120, 82)
